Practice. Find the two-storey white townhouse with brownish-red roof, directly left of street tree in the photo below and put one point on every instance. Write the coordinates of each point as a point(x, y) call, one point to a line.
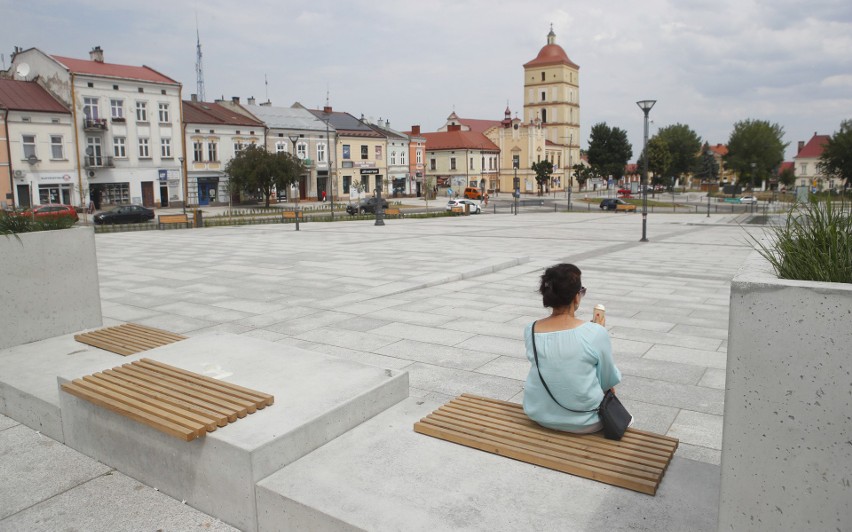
point(214, 134)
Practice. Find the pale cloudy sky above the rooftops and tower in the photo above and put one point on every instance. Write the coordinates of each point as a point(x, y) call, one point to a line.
point(707, 63)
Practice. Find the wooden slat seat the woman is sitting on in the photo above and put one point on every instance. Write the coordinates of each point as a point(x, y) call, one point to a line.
point(637, 462)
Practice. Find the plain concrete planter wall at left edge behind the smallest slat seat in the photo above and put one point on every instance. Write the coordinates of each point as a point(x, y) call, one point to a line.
point(48, 285)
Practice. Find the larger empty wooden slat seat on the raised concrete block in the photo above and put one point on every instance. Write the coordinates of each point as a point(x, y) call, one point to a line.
point(180, 403)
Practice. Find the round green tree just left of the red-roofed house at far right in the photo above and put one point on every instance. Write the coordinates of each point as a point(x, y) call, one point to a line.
point(755, 150)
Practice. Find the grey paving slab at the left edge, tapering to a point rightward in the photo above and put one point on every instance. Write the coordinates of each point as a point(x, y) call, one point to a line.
point(33, 460)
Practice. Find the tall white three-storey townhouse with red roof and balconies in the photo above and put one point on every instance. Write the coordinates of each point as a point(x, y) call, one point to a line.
point(127, 125)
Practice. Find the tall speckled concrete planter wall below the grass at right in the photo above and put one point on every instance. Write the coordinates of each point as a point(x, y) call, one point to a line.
point(786, 448)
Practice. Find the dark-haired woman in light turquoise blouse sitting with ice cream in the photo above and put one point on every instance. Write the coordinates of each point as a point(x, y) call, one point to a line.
point(574, 356)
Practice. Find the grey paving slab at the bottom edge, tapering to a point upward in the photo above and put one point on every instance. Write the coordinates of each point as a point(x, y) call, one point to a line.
point(110, 503)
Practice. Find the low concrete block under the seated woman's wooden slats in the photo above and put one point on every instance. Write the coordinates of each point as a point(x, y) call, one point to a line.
point(384, 476)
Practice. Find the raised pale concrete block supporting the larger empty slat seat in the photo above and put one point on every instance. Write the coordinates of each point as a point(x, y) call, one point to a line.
point(317, 398)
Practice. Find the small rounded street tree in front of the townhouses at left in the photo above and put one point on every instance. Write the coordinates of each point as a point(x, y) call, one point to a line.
point(254, 169)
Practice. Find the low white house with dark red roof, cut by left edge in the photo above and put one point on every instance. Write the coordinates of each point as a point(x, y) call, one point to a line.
point(37, 162)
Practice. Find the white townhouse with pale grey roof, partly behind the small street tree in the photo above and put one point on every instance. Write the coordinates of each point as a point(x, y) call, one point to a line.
point(289, 128)
